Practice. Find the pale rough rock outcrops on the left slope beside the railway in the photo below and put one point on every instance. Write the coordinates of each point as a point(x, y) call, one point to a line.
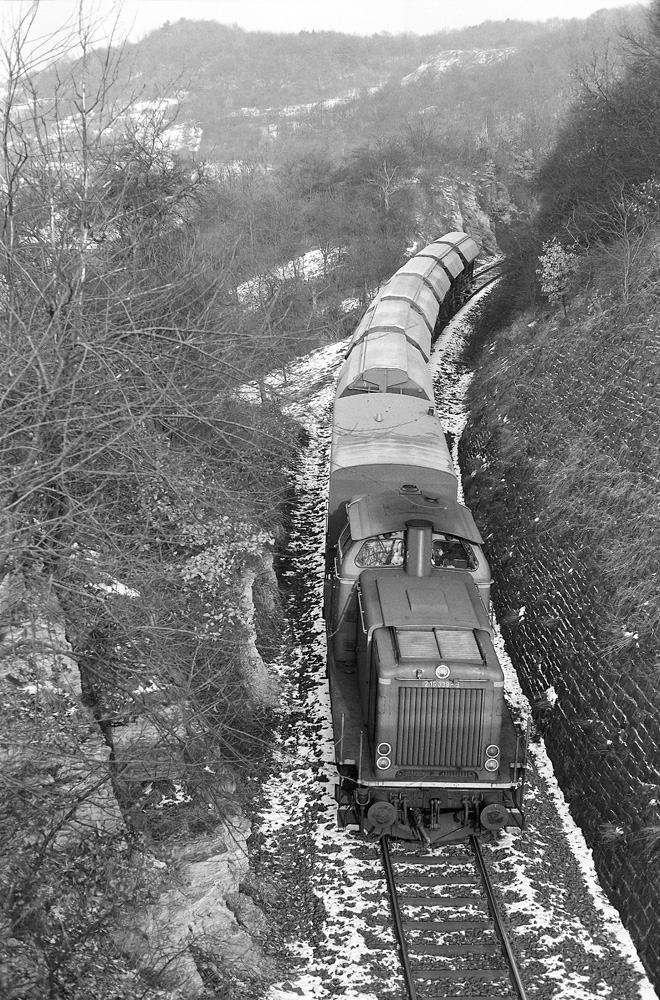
point(173, 854)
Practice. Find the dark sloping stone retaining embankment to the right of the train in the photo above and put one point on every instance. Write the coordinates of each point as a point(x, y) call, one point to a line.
point(592, 681)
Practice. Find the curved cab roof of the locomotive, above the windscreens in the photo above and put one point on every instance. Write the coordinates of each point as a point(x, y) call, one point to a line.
point(380, 513)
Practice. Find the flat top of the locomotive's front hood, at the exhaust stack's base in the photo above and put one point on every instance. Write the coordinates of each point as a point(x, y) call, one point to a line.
point(448, 600)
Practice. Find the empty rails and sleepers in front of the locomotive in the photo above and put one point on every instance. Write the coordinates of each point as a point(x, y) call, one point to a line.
point(447, 923)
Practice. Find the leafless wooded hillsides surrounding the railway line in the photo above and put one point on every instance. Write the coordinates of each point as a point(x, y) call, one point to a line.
point(143, 283)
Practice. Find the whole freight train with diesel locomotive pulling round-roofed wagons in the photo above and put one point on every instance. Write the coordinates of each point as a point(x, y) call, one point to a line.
point(425, 745)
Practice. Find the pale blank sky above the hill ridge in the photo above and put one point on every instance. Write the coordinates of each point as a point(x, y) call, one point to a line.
point(138, 17)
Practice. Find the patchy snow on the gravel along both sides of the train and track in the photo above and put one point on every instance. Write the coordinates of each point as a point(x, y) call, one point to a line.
point(570, 941)
